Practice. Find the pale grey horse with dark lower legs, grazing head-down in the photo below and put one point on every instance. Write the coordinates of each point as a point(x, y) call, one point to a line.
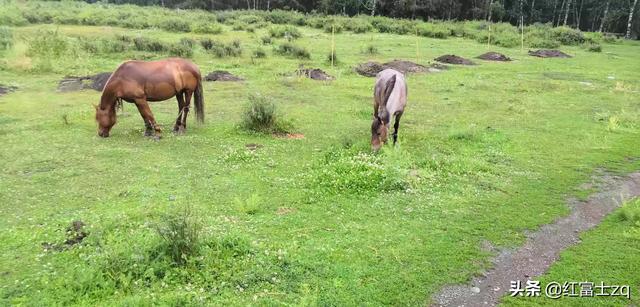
point(390, 98)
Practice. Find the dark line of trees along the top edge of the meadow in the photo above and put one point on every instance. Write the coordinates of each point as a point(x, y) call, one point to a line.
point(611, 16)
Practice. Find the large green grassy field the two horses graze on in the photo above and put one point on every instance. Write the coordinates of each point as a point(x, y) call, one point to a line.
point(486, 152)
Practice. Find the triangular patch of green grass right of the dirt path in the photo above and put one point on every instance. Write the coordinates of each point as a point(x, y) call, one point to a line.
point(610, 253)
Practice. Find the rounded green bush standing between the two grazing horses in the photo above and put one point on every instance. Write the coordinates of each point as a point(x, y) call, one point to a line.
point(260, 116)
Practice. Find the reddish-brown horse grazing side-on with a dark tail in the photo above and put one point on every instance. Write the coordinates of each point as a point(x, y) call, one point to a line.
point(139, 82)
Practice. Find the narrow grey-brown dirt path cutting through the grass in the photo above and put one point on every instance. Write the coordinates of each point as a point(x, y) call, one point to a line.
point(542, 247)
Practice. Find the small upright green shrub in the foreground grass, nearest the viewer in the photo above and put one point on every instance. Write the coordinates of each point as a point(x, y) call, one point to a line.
point(180, 234)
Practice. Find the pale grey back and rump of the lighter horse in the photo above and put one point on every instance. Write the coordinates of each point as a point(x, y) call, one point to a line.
point(398, 99)
